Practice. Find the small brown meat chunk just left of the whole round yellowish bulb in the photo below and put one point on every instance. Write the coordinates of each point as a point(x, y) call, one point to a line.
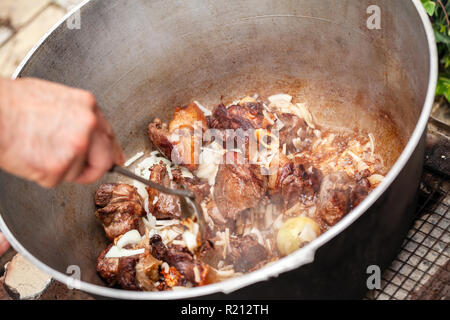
point(246, 253)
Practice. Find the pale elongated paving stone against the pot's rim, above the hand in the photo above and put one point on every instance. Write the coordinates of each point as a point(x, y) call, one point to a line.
point(13, 52)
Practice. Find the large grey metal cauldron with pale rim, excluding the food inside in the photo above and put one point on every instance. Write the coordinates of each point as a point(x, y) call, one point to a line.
point(141, 58)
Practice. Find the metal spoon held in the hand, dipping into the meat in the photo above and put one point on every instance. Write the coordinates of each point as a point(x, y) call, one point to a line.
point(186, 195)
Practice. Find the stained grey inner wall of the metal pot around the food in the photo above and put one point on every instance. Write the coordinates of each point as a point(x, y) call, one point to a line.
point(143, 58)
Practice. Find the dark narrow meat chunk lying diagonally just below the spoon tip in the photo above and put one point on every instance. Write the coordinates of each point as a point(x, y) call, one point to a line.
point(181, 259)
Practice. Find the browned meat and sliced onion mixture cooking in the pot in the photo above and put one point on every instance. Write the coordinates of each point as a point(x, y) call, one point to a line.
point(269, 180)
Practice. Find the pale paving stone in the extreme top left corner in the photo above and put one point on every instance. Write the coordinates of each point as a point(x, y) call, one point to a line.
point(19, 12)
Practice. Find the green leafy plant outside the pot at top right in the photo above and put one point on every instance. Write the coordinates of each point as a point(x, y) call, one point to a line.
point(438, 12)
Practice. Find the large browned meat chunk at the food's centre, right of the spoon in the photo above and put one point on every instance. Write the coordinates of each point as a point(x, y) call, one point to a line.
point(238, 187)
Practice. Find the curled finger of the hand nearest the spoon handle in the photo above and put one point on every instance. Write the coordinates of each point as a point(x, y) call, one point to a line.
point(99, 159)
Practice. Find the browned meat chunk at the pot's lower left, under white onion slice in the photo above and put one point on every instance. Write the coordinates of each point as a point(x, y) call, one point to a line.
point(118, 271)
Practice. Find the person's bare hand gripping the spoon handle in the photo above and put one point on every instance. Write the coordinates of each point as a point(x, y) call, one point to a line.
point(51, 133)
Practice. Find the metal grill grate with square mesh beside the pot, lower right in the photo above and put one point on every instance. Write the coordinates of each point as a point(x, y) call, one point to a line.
point(421, 269)
